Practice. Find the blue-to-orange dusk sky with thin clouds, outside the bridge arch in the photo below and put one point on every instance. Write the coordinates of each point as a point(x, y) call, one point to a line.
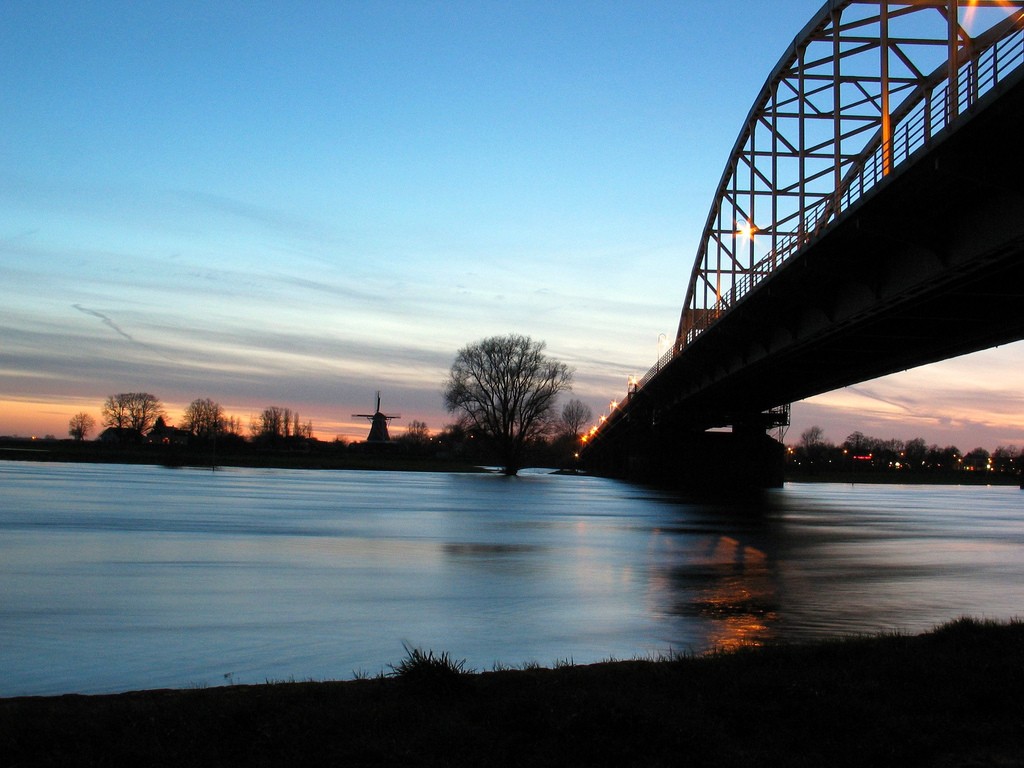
point(298, 204)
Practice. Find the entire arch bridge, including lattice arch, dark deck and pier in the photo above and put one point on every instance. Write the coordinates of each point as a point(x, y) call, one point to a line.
point(881, 163)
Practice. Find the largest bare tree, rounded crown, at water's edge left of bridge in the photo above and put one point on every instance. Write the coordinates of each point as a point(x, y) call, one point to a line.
point(505, 389)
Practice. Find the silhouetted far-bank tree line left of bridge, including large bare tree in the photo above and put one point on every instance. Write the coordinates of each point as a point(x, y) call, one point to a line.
point(504, 391)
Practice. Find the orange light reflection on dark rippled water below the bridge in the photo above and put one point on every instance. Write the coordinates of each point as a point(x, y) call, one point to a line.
point(729, 584)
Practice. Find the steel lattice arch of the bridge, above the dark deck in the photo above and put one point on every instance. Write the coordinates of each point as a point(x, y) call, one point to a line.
point(865, 92)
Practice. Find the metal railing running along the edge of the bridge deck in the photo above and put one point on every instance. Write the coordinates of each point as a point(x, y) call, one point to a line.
point(976, 77)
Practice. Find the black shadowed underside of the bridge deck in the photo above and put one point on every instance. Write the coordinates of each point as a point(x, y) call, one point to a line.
point(930, 266)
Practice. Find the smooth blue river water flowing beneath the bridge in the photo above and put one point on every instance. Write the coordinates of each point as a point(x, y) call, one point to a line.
point(117, 578)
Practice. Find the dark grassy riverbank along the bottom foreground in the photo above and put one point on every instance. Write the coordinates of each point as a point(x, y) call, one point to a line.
point(954, 697)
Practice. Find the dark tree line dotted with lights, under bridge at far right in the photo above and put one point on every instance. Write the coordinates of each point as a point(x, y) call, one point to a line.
point(859, 452)
